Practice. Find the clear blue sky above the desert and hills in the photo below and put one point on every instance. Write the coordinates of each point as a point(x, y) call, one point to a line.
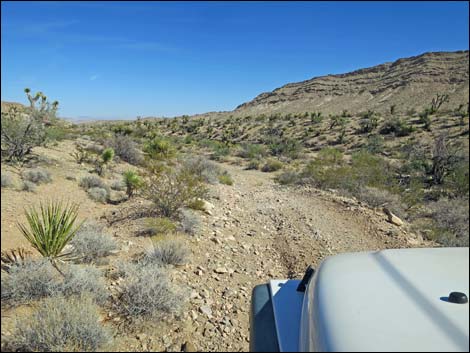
point(124, 59)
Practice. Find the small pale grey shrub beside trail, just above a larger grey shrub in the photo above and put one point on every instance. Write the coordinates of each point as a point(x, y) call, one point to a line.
point(167, 252)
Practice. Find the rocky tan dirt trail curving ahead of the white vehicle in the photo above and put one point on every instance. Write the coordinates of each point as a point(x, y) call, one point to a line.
point(257, 231)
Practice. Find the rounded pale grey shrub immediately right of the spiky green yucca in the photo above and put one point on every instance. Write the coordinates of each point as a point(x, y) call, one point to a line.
point(91, 243)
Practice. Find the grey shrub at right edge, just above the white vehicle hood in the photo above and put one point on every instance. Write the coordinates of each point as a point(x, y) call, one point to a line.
point(451, 217)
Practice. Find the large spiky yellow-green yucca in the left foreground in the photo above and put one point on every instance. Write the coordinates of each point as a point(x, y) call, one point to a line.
point(51, 228)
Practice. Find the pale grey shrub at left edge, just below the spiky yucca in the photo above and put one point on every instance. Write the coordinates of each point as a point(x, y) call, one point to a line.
point(30, 280)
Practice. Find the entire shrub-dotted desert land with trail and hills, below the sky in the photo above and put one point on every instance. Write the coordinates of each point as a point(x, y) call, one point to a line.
point(184, 216)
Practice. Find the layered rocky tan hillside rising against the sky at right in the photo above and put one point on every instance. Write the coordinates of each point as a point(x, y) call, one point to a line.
point(409, 82)
